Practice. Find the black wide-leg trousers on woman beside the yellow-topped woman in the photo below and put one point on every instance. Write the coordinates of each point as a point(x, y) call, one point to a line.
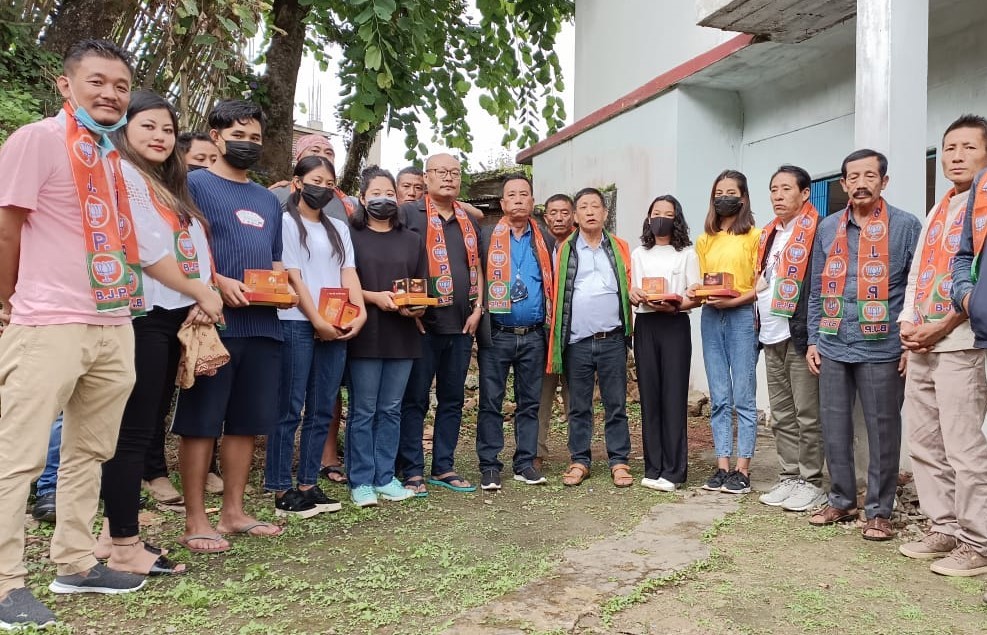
point(663, 354)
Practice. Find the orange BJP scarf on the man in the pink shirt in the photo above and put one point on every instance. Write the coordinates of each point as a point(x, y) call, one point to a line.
point(112, 256)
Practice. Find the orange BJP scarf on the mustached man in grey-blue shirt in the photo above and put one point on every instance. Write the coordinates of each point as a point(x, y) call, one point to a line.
point(873, 273)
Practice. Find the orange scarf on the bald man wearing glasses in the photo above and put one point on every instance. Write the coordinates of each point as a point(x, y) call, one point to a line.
point(439, 270)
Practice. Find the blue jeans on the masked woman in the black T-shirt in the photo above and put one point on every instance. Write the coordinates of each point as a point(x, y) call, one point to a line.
point(374, 425)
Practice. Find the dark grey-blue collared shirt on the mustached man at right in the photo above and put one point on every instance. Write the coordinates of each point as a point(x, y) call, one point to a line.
point(849, 346)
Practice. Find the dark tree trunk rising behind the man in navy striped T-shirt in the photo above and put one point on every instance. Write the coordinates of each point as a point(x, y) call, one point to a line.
point(284, 56)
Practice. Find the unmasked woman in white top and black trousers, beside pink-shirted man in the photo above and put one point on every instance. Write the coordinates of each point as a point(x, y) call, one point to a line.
point(176, 290)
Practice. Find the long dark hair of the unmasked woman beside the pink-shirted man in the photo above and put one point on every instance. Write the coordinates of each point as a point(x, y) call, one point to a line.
point(169, 179)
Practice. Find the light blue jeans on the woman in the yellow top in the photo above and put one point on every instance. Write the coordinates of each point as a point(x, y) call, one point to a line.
point(730, 357)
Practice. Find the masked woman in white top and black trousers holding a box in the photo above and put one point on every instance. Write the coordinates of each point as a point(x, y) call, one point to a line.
point(663, 341)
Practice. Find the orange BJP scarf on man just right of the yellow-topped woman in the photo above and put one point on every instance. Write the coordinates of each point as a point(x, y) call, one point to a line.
point(794, 261)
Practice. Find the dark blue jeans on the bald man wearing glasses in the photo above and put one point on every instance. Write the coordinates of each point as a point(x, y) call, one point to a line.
point(445, 358)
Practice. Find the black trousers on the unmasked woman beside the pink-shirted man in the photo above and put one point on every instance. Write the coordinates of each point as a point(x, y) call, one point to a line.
point(156, 352)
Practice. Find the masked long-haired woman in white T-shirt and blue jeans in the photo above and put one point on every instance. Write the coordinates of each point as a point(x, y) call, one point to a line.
point(317, 254)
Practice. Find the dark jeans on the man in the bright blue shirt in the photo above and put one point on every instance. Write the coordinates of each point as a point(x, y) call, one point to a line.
point(526, 353)
